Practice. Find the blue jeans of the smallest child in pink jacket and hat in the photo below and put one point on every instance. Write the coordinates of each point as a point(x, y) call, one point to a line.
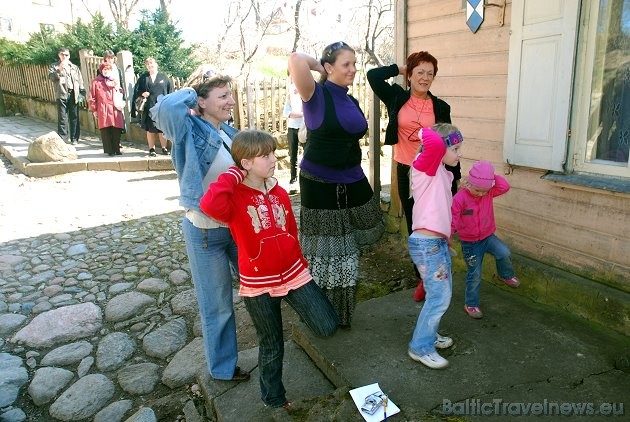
point(473, 255)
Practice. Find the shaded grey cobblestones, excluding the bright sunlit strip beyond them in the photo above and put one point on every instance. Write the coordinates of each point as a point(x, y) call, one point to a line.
point(107, 313)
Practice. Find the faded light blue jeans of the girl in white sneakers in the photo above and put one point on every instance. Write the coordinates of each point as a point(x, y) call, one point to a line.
point(431, 256)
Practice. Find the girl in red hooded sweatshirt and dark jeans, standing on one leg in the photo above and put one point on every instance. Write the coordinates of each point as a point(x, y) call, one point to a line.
point(271, 266)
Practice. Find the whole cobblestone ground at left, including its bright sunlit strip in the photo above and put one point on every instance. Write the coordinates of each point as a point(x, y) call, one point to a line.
point(96, 299)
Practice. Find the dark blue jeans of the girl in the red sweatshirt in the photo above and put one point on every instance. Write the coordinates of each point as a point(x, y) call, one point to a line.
point(314, 310)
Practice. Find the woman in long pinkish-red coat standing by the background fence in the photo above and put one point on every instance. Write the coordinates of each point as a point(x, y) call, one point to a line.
point(106, 103)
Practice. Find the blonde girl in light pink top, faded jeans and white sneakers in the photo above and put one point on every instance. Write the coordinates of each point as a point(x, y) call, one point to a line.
point(429, 242)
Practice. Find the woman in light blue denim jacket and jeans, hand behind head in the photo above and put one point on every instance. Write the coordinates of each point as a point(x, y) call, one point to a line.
point(194, 119)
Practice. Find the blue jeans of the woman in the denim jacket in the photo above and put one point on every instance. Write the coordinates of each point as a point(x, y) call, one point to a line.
point(210, 253)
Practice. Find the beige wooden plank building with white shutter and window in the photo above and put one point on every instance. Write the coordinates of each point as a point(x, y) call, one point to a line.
point(542, 90)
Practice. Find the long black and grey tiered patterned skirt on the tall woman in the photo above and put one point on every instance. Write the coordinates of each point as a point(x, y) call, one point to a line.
point(336, 220)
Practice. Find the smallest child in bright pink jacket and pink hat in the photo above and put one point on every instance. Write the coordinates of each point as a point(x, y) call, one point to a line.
point(473, 220)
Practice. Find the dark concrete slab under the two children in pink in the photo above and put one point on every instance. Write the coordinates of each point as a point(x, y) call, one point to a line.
point(519, 351)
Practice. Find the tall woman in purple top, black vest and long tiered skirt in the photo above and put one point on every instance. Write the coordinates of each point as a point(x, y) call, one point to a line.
point(339, 212)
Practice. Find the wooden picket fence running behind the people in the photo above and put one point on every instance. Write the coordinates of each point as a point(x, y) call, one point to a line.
point(259, 103)
